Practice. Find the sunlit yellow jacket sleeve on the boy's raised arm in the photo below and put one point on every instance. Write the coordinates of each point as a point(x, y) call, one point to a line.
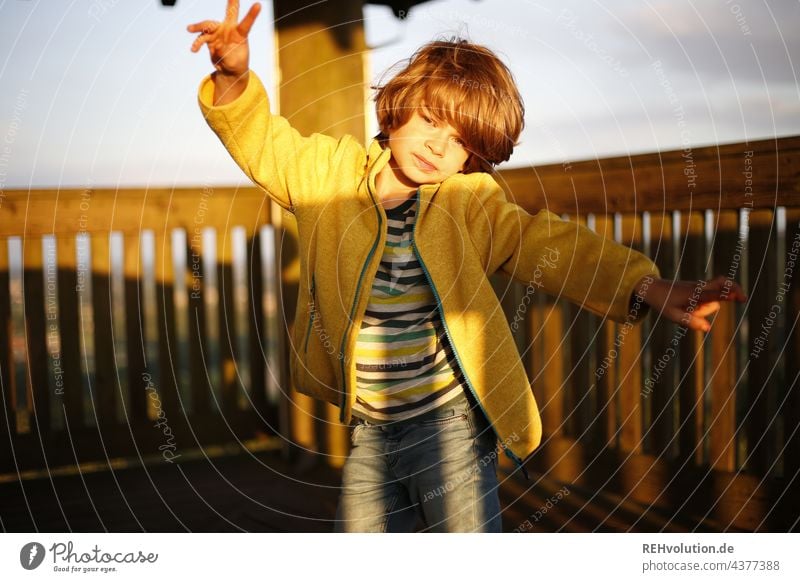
point(288, 166)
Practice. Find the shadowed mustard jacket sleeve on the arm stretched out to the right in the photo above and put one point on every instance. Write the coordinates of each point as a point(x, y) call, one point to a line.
point(559, 257)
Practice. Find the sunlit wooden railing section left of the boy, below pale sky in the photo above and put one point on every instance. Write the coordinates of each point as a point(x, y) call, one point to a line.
point(136, 324)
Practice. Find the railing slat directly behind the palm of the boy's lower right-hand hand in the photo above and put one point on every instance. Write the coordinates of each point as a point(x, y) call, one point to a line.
point(691, 383)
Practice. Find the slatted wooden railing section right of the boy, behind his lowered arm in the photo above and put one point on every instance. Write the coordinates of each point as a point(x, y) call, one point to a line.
point(657, 414)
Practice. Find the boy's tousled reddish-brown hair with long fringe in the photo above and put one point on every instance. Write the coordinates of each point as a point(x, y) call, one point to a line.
point(467, 86)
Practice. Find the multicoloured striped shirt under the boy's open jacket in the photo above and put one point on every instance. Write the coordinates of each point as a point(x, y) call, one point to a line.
point(404, 363)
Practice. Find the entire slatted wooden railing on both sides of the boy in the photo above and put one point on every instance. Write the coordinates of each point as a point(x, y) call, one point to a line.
point(150, 322)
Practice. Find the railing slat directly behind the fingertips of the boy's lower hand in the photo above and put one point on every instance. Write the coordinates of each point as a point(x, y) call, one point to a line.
point(727, 257)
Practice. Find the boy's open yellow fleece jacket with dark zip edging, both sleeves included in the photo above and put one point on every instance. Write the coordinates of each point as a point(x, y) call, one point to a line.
point(465, 231)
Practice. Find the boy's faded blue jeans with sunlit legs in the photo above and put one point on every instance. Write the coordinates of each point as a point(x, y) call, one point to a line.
point(441, 468)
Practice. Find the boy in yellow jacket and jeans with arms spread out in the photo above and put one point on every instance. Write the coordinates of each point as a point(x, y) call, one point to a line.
point(396, 246)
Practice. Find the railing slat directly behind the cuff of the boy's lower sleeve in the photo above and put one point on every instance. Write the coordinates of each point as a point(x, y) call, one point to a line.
point(629, 350)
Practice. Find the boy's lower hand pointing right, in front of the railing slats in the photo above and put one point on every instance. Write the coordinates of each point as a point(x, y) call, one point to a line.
point(688, 303)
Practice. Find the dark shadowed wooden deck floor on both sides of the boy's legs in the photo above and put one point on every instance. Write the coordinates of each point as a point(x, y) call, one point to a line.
point(263, 492)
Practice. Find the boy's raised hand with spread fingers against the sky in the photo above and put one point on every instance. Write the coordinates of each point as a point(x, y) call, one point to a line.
point(227, 40)
